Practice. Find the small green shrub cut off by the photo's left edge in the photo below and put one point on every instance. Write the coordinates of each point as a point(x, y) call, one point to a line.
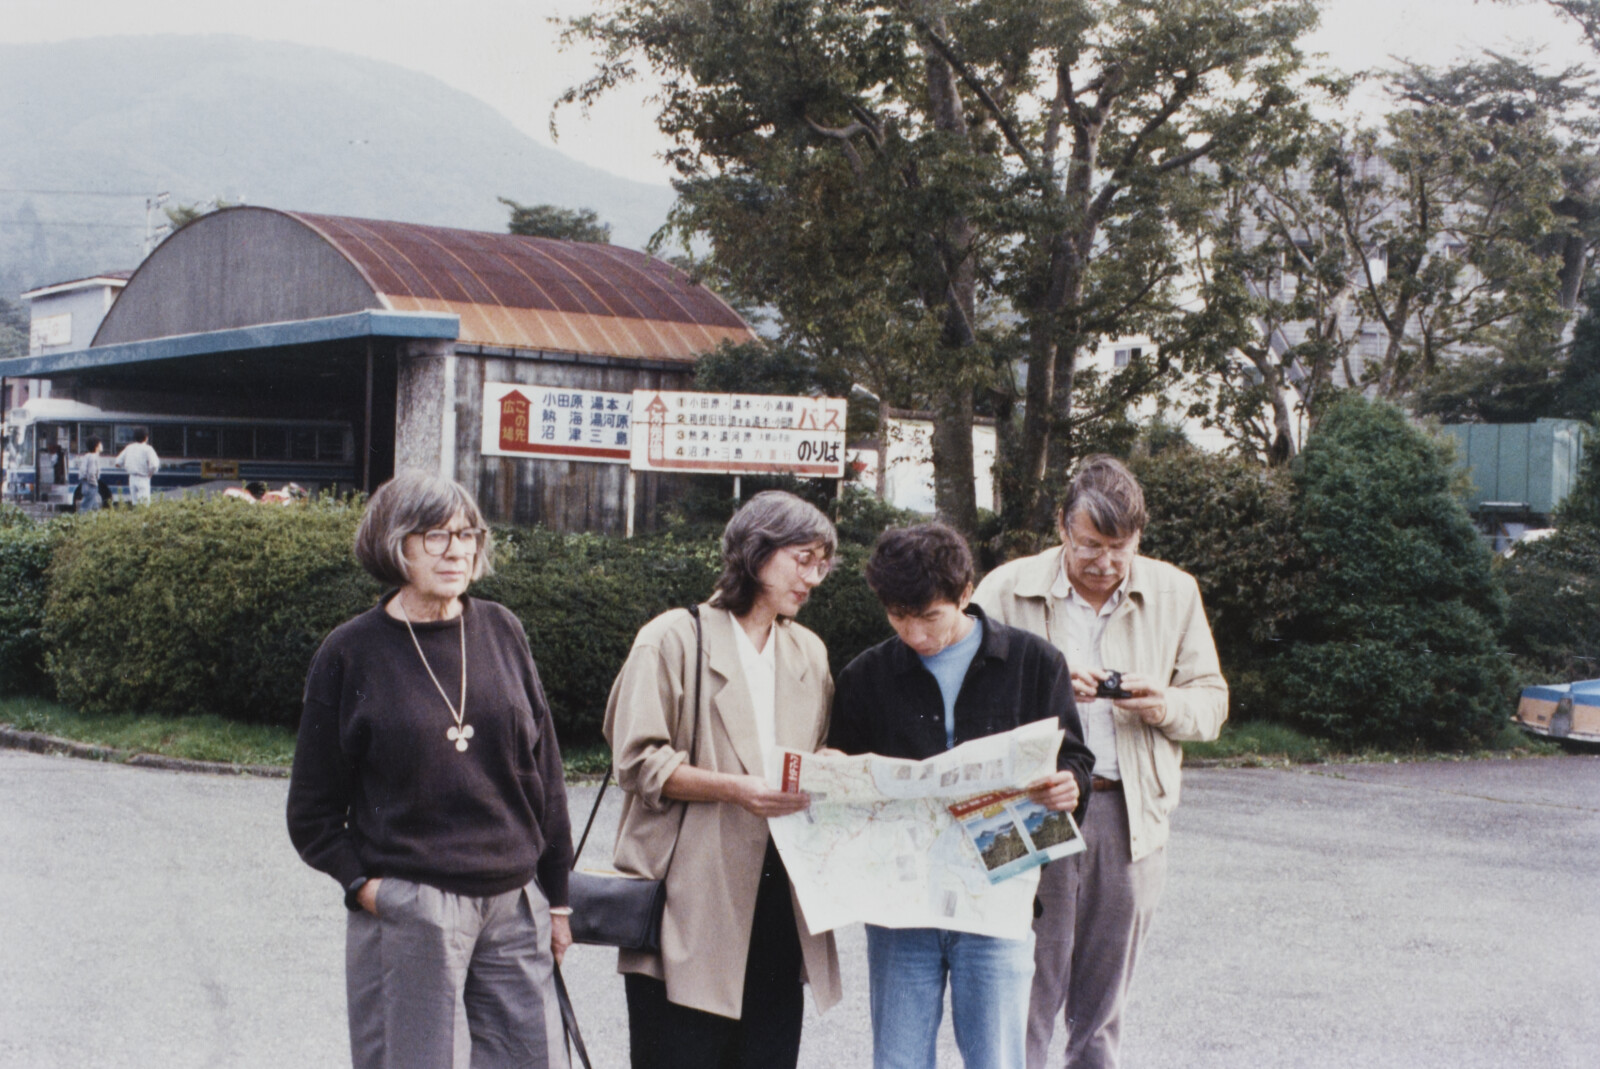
point(25, 558)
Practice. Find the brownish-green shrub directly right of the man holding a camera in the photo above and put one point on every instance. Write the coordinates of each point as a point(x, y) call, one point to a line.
point(1230, 522)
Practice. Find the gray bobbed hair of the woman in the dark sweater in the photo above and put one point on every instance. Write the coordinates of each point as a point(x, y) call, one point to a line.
point(409, 505)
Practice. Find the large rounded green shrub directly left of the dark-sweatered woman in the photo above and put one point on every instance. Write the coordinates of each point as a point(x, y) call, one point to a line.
point(199, 607)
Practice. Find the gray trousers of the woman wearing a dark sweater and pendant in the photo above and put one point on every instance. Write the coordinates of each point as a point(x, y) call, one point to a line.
point(449, 982)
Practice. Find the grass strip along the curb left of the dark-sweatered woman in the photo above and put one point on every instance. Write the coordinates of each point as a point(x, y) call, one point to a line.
point(193, 739)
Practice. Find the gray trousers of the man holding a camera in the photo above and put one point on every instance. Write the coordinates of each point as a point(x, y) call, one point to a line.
point(1097, 910)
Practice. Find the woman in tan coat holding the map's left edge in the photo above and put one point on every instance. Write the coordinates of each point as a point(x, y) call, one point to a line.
point(690, 748)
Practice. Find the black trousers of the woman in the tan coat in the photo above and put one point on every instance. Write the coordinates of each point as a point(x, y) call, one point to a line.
point(767, 1036)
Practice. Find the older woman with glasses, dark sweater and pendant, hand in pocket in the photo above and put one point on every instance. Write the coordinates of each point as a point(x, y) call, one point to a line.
point(428, 785)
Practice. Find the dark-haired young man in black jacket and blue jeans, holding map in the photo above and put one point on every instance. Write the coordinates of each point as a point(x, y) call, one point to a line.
point(950, 678)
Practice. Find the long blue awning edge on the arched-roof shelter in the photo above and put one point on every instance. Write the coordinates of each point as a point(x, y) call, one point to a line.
point(374, 324)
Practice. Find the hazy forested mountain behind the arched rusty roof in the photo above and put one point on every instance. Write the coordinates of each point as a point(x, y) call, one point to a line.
point(273, 124)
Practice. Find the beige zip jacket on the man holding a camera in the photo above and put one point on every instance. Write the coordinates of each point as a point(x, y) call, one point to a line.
point(1161, 631)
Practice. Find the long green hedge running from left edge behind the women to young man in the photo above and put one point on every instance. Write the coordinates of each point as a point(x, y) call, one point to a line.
point(218, 607)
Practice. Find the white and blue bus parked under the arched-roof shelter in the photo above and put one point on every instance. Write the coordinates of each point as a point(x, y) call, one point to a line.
point(314, 454)
